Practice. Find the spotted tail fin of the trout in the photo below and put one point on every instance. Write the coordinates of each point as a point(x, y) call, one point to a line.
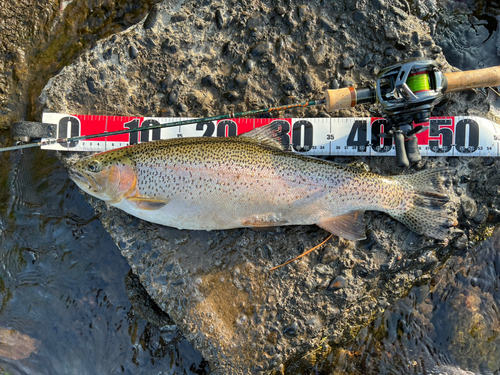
point(429, 214)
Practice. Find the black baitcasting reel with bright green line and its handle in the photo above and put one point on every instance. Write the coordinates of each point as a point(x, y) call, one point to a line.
point(407, 93)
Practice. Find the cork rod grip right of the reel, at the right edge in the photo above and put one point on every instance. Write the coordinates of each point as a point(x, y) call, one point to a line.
point(471, 79)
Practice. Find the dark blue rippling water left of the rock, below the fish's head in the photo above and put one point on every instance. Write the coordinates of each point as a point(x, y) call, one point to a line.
point(62, 282)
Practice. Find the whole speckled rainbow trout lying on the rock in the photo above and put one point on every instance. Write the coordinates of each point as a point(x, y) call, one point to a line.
point(251, 181)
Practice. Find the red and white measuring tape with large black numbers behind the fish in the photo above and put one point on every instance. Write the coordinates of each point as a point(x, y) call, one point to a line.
point(446, 136)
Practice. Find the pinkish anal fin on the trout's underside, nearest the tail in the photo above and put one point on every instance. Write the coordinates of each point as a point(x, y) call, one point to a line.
point(349, 226)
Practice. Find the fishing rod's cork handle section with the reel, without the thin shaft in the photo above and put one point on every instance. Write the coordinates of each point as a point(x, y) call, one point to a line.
point(407, 93)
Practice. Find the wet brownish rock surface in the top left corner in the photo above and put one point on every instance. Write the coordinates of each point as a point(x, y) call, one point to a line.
point(38, 38)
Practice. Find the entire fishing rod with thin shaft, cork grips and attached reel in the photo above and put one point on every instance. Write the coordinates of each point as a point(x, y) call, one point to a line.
point(405, 92)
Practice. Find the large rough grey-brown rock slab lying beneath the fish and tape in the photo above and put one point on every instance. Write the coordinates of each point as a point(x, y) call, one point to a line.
point(194, 59)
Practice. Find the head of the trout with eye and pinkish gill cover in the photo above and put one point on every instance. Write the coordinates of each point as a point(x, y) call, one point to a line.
point(105, 176)
